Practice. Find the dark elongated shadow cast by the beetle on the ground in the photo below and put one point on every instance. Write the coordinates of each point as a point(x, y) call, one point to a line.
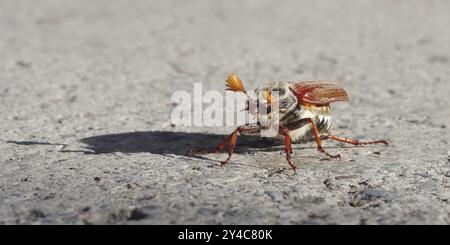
point(168, 142)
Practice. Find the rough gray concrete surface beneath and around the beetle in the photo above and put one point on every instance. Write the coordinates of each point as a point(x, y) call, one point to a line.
point(85, 90)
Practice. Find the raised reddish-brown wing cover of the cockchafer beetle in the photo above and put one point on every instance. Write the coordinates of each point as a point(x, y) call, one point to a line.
point(318, 92)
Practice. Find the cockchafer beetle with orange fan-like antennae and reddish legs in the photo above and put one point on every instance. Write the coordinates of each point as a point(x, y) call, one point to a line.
point(304, 115)
